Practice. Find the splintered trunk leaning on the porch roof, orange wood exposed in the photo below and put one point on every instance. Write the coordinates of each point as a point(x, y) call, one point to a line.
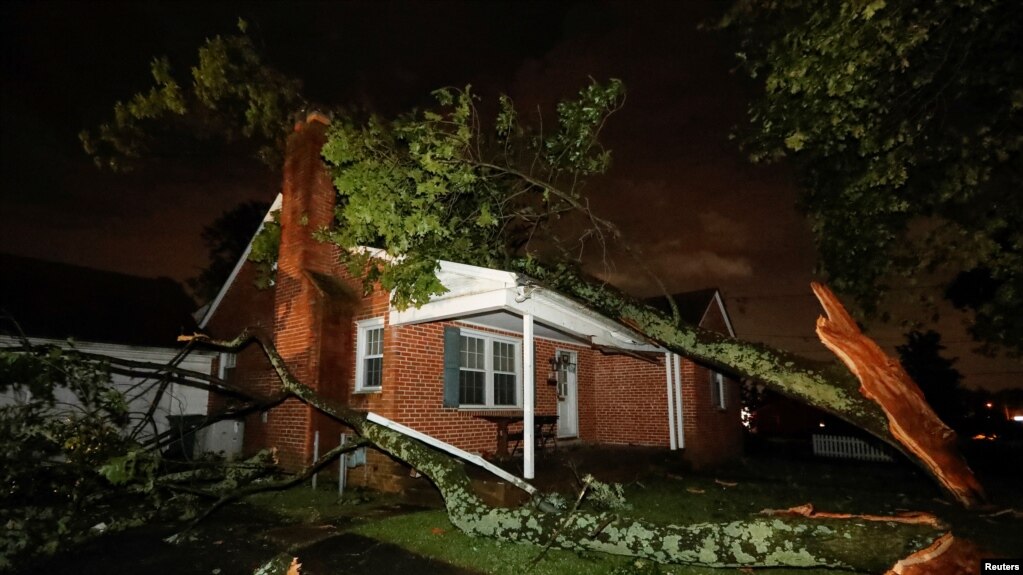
point(887, 405)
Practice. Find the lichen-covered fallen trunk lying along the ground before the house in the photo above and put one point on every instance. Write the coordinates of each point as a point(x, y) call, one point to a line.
point(777, 541)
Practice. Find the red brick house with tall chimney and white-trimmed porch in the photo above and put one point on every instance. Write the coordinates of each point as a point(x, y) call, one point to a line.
point(465, 356)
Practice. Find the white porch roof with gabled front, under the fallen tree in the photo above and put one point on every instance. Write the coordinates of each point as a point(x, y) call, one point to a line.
point(500, 299)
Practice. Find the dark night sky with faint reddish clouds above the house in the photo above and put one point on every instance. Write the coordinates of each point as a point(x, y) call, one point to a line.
point(679, 188)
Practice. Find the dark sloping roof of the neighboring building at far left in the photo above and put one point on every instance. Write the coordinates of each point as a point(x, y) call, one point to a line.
point(61, 301)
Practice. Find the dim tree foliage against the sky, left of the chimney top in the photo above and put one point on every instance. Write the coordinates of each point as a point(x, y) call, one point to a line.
point(234, 97)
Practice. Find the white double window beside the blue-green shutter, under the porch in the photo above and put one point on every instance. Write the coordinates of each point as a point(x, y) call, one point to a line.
point(488, 371)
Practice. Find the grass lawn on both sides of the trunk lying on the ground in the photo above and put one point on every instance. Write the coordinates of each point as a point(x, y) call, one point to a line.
point(378, 535)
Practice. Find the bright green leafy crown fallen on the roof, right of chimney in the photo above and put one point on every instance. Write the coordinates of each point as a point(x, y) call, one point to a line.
point(450, 184)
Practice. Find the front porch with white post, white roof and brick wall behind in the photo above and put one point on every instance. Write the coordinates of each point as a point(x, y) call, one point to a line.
point(538, 337)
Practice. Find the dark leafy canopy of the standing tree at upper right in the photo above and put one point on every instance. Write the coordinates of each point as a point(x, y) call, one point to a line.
point(904, 123)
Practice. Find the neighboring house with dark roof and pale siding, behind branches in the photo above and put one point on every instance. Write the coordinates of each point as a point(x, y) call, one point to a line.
point(110, 315)
